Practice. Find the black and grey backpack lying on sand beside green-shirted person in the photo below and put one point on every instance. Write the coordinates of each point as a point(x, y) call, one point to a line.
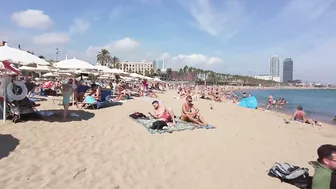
point(291, 174)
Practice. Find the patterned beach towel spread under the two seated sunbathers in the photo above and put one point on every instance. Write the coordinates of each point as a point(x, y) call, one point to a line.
point(180, 126)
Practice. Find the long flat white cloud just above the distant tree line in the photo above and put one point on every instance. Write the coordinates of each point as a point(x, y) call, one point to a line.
point(195, 59)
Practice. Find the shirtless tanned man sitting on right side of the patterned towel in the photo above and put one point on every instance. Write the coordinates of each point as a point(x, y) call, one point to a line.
point(191, 114)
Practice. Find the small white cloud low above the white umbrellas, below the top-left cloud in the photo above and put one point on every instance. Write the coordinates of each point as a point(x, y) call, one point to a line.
point(53, 38)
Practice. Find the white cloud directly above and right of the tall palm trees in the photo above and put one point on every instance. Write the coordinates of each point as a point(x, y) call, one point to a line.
point(123, 45)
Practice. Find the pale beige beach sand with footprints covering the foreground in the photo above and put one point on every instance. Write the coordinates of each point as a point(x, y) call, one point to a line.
point(110, 151)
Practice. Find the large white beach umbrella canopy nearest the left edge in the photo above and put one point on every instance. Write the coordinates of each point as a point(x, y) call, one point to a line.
point(18, 56)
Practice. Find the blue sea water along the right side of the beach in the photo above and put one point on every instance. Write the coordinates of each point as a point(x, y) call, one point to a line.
point(319, 104)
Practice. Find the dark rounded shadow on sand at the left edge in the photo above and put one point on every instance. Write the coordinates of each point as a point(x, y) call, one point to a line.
point(8, 143)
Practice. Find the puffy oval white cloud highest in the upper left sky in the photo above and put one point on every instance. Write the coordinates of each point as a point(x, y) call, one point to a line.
point(35, 19)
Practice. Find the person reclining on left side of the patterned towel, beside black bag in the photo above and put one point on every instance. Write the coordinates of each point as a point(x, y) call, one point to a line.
point(163, 113)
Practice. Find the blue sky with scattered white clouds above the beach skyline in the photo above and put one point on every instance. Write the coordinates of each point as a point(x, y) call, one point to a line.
point(229, 36)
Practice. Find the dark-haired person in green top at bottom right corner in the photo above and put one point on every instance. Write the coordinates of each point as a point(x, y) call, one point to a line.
point(325, 172)
